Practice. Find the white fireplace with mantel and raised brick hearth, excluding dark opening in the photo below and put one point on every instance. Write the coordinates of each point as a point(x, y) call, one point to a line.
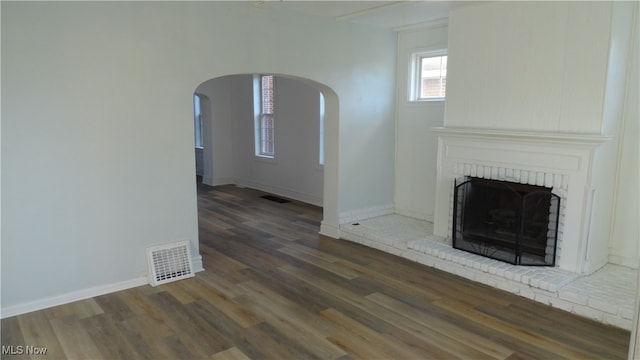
point(564, 162)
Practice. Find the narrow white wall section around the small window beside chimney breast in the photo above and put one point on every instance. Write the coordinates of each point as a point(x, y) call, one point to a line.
point(416, 144)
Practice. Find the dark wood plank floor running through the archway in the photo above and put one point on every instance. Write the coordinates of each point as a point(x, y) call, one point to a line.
point(275, 289)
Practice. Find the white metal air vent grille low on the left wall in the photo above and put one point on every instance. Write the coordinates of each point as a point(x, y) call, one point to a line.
point(169, 262)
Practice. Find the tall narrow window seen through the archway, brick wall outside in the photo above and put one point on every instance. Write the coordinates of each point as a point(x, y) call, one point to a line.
point(265, 122)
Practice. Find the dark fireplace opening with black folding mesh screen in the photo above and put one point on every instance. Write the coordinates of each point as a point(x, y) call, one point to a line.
point(506, 221)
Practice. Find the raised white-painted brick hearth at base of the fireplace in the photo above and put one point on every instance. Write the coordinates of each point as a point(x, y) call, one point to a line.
point(607, 295)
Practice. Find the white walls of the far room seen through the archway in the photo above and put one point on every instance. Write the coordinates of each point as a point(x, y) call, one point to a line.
point(295, 172)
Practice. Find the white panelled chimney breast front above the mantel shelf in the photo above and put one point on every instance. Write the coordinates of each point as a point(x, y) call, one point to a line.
point(528, 65)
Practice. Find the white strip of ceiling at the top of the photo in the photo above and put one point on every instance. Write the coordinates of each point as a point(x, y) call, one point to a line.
point(387, 14)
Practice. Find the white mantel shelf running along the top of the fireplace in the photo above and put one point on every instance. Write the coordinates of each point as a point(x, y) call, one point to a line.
point(578, 139)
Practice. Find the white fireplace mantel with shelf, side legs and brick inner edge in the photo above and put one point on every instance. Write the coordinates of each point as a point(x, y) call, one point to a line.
point(563, 161)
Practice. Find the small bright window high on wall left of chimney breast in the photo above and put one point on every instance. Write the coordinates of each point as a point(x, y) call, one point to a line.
point(429, 73)
